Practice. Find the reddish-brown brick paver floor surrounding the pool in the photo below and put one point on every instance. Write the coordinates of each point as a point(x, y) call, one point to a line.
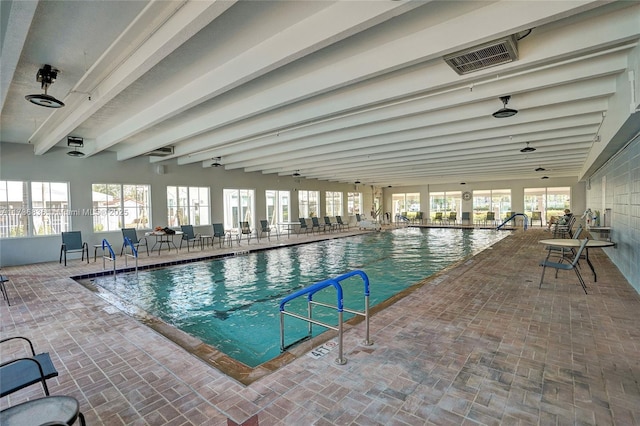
point(478, 344)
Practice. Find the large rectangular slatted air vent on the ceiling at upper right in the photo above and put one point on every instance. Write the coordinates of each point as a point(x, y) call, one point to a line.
point(484, 56)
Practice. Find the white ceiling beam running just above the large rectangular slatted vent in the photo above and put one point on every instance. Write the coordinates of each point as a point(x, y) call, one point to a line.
point(379, 59)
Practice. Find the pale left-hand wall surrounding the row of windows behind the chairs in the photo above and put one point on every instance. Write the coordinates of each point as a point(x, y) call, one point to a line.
point(17, 162)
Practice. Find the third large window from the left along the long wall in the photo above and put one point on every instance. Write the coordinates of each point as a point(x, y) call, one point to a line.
point(188, 205)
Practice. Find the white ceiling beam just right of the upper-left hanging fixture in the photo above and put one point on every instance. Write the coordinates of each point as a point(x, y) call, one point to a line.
point(157, 31)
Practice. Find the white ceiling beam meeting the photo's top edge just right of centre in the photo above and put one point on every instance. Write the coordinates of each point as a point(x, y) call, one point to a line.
point(329, 25)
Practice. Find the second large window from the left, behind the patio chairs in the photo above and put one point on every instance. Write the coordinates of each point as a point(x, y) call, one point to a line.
point(117, 206)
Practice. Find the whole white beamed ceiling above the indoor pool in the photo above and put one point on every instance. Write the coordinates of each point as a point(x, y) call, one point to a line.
point(340, 91)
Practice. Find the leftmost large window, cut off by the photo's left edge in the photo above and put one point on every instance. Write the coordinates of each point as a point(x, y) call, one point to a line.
point(41, 208)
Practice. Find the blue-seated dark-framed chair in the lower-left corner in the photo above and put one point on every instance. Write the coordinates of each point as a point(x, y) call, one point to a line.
point(21, 372)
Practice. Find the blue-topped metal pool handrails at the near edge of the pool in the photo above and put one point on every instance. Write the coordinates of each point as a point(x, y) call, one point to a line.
point(309, 292)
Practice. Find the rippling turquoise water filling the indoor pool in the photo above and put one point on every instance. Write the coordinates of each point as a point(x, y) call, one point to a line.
point(232, 303)
